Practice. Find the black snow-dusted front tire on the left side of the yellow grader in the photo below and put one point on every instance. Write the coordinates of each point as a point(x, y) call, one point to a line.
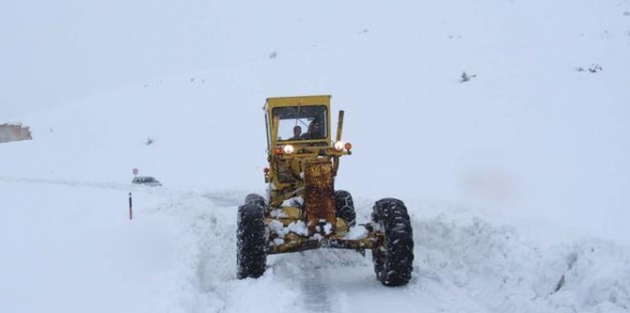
point(251, 256)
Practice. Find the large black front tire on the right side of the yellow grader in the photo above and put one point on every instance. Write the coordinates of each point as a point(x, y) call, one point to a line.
point(393, 261)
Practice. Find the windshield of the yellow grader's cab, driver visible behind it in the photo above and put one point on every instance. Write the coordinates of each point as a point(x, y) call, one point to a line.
point(300, 122)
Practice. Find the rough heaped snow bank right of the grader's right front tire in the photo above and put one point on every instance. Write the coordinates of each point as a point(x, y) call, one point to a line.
point(500, 272)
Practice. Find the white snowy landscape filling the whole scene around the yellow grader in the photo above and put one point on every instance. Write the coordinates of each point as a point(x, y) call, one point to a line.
point(517, 181)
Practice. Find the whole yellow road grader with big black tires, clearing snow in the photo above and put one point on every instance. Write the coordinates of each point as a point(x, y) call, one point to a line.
point(303, 210)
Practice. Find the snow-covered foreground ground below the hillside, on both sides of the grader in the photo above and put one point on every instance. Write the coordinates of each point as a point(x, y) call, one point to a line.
point(178, 255)
